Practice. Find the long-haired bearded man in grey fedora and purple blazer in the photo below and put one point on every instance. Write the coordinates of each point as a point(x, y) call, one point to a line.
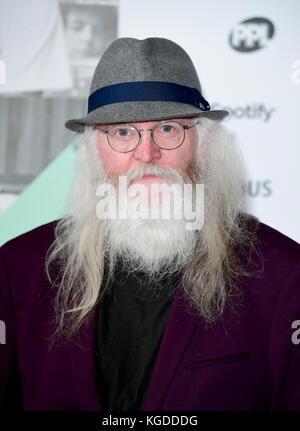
point(106, 311)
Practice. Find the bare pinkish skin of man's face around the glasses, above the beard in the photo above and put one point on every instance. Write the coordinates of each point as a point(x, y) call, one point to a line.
point(117, 164)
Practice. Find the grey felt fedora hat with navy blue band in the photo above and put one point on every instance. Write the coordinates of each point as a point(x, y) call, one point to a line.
point(144, 80)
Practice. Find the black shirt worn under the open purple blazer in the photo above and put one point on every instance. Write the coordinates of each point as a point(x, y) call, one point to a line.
point(131, 319)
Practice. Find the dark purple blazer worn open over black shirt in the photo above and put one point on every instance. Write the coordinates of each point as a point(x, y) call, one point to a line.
point(245, 361)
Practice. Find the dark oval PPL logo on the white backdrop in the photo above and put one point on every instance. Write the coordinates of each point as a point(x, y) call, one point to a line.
point(251, 34)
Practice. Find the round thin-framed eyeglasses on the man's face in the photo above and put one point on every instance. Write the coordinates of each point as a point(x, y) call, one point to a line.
point(166, 135)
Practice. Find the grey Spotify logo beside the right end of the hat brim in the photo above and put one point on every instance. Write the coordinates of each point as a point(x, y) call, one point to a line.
point(254, 111)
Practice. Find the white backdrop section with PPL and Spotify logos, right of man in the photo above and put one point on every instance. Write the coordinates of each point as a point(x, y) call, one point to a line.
point(247, 54)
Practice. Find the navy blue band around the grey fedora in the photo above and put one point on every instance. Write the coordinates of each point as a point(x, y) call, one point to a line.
point(143, 91)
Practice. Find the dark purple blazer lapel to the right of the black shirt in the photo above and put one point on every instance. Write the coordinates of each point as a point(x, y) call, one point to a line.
point(177, 335)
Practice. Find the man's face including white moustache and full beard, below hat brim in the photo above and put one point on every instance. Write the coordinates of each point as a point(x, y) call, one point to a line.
point(168, 242)
